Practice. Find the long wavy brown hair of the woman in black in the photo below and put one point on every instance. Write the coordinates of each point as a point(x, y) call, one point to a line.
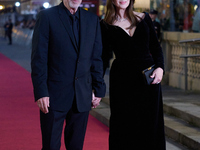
point(110, 15)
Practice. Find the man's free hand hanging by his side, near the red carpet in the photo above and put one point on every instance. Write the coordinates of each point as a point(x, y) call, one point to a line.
point(43, 104)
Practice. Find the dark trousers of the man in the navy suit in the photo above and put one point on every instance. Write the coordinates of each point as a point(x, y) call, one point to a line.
point(52, 126)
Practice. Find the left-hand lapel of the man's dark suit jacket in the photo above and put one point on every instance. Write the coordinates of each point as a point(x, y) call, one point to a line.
point(63, 18)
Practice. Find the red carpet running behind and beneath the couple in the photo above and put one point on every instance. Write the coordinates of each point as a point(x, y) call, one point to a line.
point(19, 115)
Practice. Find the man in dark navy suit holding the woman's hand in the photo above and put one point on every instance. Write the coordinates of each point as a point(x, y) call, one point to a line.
point(66, 67)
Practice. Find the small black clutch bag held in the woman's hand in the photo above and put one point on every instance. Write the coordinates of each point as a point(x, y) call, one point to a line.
point(147, 73)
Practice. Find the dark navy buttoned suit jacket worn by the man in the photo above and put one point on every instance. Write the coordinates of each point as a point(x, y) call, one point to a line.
point(60, 70)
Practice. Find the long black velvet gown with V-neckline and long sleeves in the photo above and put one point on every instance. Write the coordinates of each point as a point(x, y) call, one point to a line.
point(136, 121)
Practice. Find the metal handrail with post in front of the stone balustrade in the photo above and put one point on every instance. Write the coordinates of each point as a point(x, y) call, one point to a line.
point(190, 41)
